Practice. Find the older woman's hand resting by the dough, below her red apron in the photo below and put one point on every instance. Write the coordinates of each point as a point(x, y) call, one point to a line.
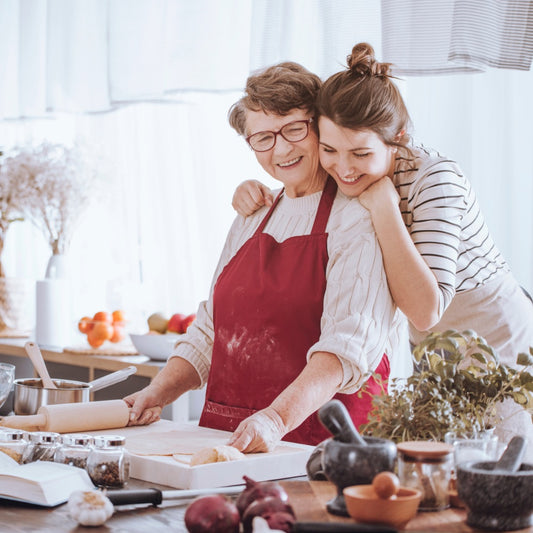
point(260, 432)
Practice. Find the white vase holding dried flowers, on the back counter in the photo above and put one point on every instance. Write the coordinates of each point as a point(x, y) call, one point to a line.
point(53, 320)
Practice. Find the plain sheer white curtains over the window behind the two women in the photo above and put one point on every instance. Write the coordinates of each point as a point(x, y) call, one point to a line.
point(168, 72)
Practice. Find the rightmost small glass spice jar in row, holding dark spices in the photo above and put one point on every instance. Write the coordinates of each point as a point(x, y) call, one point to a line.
point(108, 462)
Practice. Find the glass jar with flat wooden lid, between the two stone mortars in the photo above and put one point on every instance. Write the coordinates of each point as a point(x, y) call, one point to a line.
point(427, 466)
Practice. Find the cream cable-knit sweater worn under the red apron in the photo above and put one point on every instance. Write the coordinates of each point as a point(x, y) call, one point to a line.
point(359, 314)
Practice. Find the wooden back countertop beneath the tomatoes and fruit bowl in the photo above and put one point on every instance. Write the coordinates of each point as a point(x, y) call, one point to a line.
point(145, 366)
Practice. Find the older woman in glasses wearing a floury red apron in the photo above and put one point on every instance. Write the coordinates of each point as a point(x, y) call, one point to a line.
point(286, 326)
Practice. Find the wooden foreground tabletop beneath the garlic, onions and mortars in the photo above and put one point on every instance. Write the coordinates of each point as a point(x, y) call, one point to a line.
point(307, 498)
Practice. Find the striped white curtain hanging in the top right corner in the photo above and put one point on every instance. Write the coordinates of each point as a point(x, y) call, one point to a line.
point(428, 37)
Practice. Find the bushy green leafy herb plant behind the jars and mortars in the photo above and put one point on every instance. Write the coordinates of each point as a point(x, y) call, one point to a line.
point(457, 387)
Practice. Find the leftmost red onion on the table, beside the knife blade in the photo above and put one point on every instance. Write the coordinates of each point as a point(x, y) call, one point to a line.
point(212, 514)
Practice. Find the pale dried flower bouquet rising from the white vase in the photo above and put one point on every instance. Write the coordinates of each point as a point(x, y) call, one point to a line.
point(56, 183)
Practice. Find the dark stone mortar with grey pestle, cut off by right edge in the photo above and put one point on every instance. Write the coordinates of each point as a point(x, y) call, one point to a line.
point(498, 494)
